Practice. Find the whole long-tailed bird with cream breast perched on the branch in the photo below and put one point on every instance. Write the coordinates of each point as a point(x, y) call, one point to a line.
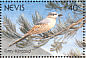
point(41, 27)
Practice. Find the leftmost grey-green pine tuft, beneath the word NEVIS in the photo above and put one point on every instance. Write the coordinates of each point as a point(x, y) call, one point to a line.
point(10, 29)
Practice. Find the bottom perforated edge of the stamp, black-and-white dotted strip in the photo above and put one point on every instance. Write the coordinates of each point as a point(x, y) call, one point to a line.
point(42, 56)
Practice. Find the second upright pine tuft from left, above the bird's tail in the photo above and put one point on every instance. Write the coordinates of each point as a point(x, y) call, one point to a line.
point(24, 24)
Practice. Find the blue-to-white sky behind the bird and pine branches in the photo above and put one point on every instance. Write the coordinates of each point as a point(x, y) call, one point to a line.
point(30, 9)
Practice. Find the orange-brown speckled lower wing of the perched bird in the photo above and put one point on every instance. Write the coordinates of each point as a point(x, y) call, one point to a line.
point(37, 29)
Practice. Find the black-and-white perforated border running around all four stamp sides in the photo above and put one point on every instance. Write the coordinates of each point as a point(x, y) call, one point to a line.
point(84, 35)
